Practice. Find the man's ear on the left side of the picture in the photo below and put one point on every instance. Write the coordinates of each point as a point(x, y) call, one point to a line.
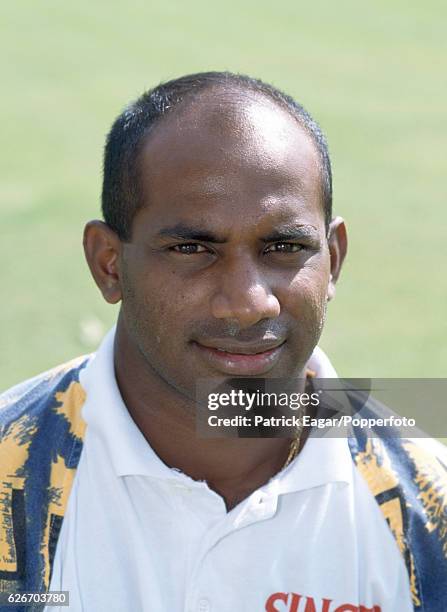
point(102, 248)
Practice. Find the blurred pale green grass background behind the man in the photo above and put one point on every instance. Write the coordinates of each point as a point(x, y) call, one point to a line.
point(373, 74)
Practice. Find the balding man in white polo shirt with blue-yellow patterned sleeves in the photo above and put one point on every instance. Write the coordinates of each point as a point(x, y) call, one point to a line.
point(218, 240)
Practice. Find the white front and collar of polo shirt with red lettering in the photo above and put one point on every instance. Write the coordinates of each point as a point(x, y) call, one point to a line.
point(139, 536)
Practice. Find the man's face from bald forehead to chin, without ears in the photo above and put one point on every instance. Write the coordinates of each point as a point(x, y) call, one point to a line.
point(228, 267)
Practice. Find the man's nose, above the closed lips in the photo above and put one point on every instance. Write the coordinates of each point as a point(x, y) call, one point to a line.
point(243, 295)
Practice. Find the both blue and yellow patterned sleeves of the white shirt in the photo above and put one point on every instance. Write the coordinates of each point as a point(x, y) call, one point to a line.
point(41, 438)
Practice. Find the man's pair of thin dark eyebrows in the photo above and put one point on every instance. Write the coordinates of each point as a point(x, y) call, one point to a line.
point(288, 231)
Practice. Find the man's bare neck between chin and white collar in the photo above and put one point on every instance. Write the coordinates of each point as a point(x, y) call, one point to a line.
point(233, 467)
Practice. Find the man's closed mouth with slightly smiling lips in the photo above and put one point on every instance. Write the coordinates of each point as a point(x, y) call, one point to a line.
point(241, 359)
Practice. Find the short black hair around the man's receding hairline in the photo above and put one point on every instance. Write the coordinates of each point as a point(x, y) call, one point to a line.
point(120, 194)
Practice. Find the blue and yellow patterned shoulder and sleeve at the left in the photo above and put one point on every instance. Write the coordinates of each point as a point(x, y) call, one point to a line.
point(41, 439)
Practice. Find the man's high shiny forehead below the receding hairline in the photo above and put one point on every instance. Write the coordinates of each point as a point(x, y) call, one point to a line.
point(229, 153)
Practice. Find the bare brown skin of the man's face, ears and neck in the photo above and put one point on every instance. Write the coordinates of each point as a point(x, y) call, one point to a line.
point(229, 250)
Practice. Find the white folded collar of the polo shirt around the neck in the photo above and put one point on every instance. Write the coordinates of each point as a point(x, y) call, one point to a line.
point(109, 423)
